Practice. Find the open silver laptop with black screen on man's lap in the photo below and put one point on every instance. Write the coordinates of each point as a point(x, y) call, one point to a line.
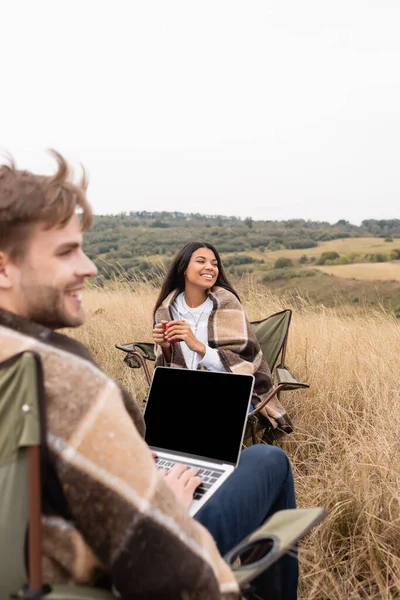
point(198, 418)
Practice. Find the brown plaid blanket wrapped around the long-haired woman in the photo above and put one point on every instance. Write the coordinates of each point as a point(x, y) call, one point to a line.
point(230, 332)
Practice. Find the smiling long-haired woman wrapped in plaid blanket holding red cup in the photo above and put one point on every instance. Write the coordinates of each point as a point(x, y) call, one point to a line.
point(199, 321)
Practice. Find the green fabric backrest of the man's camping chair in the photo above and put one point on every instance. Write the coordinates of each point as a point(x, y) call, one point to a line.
point(20, 385)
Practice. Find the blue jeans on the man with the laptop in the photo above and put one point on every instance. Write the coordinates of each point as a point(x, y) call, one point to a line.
point(261, 485)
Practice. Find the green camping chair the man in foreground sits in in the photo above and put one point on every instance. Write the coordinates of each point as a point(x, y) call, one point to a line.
point(21, 432)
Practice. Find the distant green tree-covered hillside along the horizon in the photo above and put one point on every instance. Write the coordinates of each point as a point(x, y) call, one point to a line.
point(130, 241)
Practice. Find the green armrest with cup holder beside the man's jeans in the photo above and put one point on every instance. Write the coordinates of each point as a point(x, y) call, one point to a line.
point(268, 543)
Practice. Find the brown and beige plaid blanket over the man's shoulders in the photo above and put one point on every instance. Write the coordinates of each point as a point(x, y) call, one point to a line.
point(110, 513)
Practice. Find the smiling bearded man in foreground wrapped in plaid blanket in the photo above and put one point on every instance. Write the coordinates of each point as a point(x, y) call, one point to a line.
point(110, 518)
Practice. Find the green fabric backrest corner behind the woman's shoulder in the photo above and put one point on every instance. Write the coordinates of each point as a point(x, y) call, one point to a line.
point(272, 335)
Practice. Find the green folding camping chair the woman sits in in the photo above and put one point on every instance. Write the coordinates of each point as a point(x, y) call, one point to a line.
point(272, 335)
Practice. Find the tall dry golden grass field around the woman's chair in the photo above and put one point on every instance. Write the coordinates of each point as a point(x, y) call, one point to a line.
point(345, 450)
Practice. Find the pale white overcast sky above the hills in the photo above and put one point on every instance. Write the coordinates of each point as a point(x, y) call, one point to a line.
point(270, 109)
